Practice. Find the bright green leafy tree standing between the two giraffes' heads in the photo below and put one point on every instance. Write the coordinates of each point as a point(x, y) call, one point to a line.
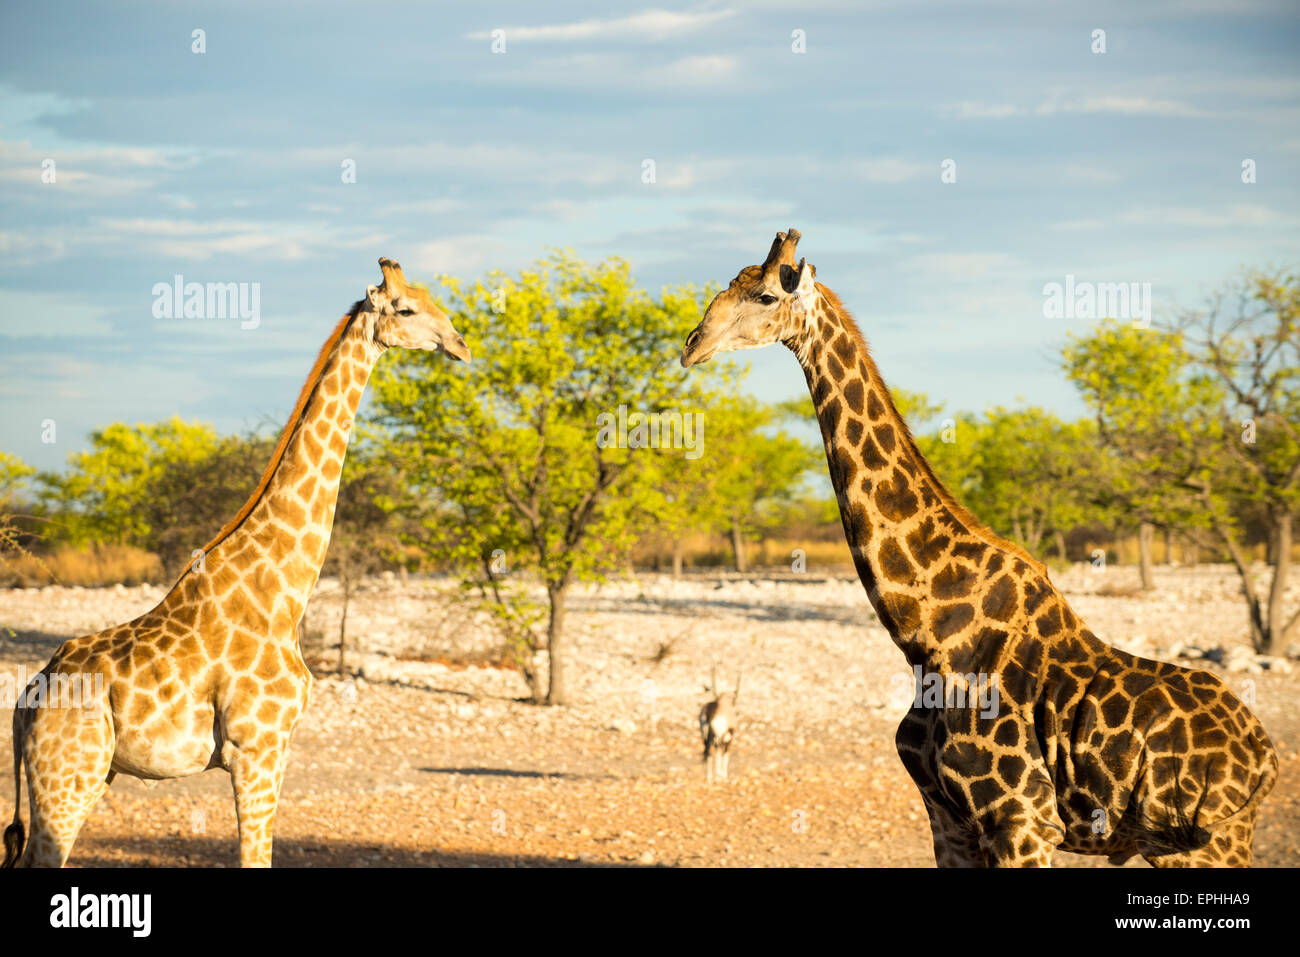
point(513, 447)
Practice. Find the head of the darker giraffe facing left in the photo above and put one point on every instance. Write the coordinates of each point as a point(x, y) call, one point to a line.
point(764, 305)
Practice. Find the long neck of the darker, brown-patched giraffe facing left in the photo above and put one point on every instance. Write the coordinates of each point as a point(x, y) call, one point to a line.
point(913, 545)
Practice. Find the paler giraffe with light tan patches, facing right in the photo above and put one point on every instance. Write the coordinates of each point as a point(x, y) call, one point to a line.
point(214, 675)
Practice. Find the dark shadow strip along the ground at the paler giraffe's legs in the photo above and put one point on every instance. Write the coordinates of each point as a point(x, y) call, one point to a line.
point(211, 852)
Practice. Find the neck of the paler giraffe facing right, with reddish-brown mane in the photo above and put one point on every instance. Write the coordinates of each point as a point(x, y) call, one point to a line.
point(262, 569)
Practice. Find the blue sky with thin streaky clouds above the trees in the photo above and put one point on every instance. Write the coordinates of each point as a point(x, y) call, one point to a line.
point(226, 167)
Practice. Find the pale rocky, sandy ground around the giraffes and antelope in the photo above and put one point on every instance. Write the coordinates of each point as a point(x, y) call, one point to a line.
point(419, 760)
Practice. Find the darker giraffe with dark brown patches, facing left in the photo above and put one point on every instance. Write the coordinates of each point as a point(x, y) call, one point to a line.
point(1087, 750)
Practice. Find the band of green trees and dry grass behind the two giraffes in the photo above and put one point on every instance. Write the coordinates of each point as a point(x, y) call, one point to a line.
point(575, 448)
